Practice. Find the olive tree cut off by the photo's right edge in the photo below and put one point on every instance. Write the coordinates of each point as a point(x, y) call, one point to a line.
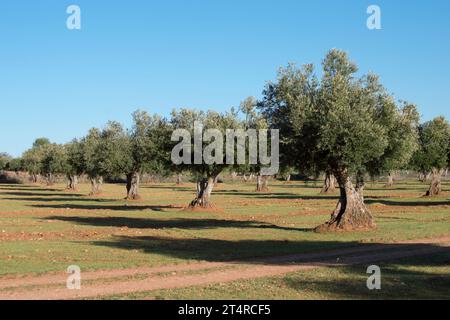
point(433, 152)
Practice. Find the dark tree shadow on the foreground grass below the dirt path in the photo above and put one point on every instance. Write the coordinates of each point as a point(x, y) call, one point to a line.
point(397, 282)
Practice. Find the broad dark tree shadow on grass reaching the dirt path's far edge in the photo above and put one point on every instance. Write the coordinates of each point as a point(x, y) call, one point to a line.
point(279, 252)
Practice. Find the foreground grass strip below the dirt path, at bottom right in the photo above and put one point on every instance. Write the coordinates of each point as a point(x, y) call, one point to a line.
point(407, 279)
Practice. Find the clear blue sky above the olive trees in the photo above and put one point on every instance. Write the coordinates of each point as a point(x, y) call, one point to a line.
point(157, 55)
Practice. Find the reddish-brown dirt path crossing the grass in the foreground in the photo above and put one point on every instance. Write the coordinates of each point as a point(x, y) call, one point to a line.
point(112, 282)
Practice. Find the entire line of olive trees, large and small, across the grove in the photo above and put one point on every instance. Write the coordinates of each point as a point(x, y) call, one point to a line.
point(345, 126)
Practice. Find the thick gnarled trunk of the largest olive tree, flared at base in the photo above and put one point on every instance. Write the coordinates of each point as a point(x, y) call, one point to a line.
point(351, 213)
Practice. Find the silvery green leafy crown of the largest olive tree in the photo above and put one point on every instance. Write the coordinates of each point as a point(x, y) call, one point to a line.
point(340, 122)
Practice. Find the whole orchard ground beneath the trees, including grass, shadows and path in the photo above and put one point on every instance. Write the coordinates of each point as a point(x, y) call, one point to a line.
point(244, 247)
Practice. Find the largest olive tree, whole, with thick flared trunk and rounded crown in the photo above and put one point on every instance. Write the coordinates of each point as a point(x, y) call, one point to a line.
point(334, 125)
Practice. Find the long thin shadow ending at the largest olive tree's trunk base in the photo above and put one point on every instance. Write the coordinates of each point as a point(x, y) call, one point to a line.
point(180, 223)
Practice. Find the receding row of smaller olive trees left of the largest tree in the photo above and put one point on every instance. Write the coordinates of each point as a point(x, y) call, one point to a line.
point(114, 152)
